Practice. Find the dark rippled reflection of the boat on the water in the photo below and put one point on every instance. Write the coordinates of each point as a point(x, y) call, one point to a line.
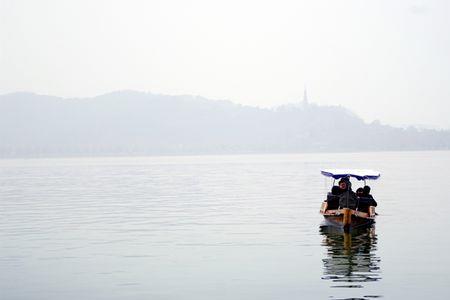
point(351, 261)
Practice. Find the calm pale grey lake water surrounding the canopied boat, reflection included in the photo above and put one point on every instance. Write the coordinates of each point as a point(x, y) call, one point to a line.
point(220, 227)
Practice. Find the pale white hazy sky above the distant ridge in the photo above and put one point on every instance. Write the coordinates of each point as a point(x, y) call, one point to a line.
point(387, 60)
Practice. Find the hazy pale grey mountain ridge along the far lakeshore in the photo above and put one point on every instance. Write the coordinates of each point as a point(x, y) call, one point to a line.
point(135, 123)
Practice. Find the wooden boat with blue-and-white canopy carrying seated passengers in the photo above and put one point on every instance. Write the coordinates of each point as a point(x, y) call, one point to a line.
point(346, 210)
